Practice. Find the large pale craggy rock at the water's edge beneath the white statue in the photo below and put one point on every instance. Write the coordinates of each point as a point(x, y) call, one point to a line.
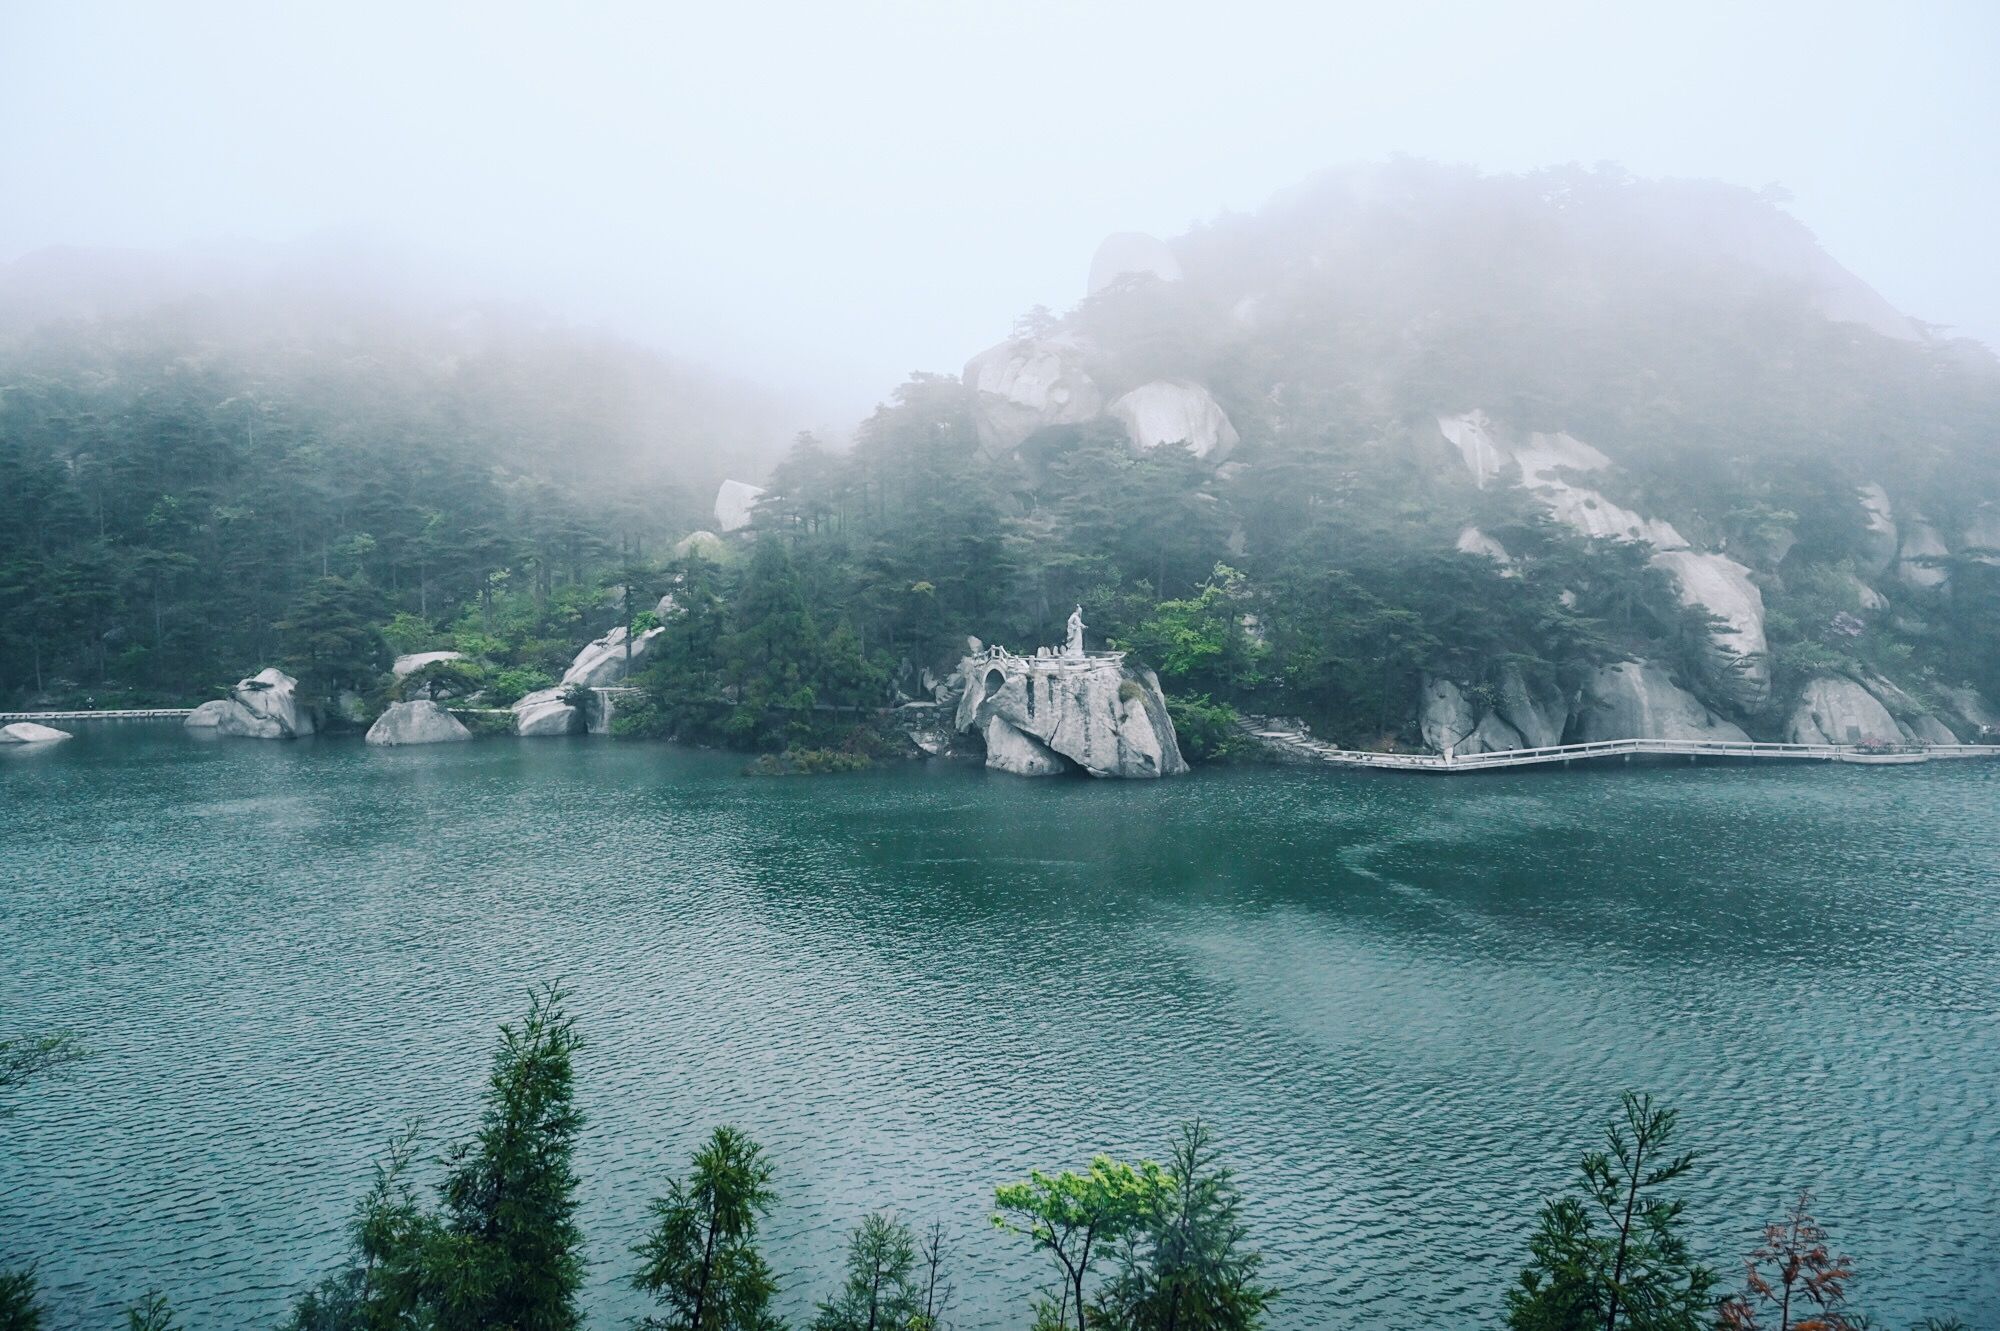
point(1091, 710)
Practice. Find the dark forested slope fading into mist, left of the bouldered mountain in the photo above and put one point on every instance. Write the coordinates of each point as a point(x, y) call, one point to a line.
point(211, 469)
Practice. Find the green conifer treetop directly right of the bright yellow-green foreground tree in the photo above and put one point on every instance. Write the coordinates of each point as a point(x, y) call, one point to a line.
point(1185, 1264)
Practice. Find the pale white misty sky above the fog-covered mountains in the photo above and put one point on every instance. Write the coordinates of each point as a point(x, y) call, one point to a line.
point(841, 193)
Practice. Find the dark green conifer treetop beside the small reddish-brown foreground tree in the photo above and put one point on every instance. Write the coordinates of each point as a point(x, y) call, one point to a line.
point(1617, 1256)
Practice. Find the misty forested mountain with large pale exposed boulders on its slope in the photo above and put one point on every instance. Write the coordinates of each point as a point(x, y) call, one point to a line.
point(1463, 461)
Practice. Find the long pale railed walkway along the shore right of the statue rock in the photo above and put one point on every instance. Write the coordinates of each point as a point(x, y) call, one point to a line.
point(1293, 742)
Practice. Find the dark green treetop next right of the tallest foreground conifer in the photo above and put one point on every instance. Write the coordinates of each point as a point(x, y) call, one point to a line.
point(701, 1260)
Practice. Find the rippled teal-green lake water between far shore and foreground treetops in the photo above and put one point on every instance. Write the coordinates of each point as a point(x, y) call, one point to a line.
point(1405, 1004)
